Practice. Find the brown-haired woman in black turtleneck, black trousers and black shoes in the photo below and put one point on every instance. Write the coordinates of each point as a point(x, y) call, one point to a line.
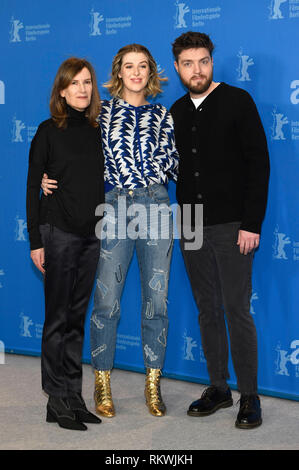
point(62, 232)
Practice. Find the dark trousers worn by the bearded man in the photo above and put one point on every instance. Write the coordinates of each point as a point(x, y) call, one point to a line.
point(220, 278)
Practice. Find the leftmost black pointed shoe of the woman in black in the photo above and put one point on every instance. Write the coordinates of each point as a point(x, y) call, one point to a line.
point(59, 411)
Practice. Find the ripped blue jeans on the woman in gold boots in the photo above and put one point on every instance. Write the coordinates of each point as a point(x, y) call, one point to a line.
point(141, 219)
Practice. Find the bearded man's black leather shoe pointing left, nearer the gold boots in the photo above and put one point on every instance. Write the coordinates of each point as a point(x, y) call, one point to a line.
point(211, 400)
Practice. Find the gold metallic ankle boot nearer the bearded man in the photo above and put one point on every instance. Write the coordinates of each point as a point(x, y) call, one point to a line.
point(152, 393)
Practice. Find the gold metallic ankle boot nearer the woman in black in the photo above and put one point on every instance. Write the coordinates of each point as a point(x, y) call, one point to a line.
point(102, 394)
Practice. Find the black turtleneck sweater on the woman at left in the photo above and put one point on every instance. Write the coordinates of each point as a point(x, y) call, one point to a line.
point(74, 157)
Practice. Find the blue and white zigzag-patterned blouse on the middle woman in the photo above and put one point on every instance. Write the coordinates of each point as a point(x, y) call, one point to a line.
point(138, 144)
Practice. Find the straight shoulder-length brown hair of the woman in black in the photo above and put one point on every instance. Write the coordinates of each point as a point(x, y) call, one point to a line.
point(65, 74)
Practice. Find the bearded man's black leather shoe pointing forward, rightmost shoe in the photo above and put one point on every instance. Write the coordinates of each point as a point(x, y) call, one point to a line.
point(250, 414)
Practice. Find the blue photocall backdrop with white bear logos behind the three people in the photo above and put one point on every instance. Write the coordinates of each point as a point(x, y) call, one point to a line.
point(256, 49)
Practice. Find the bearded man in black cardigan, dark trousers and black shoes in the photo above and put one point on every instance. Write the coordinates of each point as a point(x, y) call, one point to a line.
point(224, 165)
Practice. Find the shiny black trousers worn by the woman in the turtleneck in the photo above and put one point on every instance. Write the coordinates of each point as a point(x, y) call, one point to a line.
point(70, 264)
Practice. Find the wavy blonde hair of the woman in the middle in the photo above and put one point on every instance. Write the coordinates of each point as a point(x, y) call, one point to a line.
point(115, 84)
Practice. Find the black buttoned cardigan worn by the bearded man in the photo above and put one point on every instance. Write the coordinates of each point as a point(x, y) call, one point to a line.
point(224, 162)
